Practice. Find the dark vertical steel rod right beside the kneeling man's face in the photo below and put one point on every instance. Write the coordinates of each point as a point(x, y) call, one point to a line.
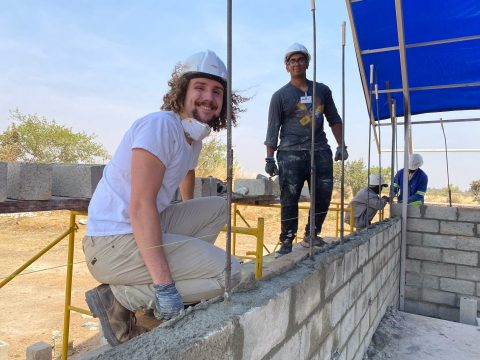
point(228, 260)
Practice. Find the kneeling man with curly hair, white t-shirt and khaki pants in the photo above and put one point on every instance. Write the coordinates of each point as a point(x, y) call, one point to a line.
point(147, 252)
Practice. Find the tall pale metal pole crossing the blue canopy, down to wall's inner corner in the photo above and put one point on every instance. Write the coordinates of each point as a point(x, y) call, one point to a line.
point(407, 145)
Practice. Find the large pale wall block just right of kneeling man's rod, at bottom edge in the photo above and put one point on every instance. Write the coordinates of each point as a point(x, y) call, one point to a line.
point(277, 308)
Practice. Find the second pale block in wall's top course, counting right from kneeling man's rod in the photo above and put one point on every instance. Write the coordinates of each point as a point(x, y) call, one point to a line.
point(307, 296)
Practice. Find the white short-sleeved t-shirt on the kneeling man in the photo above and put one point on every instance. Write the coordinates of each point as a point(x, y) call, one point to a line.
point(160, 133)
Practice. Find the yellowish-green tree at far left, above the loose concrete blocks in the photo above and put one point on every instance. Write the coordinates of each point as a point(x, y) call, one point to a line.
point(32, 138)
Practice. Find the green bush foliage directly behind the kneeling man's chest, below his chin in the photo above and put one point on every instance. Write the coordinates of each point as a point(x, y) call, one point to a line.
point(213, 160)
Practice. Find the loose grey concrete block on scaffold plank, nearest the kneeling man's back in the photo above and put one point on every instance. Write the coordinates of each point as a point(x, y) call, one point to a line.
point(75, 180)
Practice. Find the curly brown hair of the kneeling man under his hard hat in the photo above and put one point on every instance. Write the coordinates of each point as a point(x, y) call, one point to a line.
point(174, 99)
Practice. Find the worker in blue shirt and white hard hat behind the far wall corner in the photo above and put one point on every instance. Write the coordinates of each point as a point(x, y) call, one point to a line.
point(417, 181)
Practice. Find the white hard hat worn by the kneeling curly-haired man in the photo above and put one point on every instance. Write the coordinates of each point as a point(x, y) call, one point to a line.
point(205, 64)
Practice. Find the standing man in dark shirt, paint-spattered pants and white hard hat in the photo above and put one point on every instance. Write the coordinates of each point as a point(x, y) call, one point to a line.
point(290, 119)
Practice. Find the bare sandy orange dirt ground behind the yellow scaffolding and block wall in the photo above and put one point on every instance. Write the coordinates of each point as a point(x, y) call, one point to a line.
point(33, 302)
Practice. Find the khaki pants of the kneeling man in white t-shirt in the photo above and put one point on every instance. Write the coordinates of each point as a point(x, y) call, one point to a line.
point(189, 231)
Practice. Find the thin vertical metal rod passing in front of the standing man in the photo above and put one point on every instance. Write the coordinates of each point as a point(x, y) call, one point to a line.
point(313, 172)
